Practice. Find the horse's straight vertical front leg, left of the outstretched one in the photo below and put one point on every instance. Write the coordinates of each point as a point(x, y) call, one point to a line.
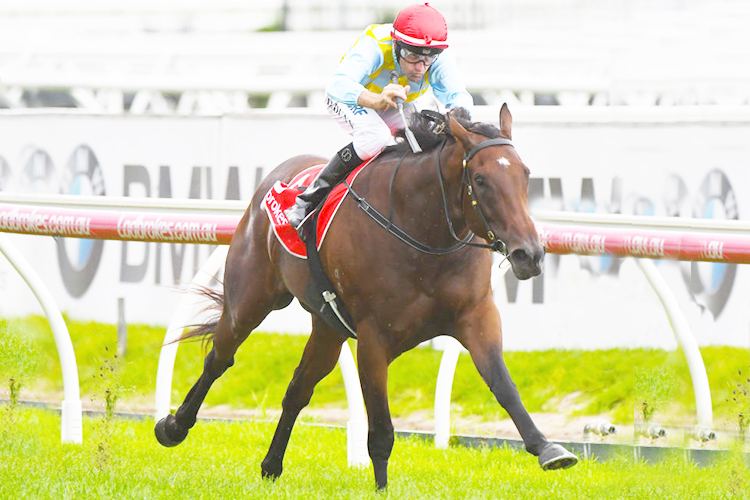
point(372, 358)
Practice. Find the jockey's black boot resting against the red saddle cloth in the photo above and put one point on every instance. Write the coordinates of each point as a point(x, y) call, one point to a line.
point(341, 164)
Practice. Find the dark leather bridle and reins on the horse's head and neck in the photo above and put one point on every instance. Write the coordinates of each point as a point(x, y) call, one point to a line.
point(495, 245)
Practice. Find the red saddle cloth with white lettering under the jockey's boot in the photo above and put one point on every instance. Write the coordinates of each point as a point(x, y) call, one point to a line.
point(282, 196)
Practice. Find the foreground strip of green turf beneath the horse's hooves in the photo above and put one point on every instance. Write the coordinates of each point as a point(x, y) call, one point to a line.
point(121, 459)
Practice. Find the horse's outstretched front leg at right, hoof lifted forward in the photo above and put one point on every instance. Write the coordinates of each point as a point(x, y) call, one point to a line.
point(481, 333)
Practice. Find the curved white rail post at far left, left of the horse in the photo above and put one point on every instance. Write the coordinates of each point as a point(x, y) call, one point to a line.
point(71, 409)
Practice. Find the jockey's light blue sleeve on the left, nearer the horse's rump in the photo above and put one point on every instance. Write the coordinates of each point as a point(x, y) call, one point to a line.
point(362, 60)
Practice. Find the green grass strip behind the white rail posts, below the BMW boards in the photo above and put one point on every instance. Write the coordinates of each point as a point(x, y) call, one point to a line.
point(612, 382)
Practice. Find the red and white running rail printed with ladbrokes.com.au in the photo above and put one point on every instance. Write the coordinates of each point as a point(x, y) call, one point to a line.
point(558, 238)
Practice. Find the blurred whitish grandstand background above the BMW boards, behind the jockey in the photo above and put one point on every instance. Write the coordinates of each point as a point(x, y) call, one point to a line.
point(225, 56)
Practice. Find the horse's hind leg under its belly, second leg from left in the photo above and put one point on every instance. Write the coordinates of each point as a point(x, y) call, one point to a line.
point(319, 358)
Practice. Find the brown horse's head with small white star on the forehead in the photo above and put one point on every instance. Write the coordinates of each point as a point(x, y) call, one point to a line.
point(495, 197)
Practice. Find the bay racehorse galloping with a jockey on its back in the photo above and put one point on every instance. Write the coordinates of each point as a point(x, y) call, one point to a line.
point(463, 197)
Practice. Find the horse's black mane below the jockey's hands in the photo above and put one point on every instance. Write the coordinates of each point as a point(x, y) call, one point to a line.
point(432, 128)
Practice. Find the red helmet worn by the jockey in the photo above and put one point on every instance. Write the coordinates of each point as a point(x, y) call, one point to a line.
point(420, 25)
